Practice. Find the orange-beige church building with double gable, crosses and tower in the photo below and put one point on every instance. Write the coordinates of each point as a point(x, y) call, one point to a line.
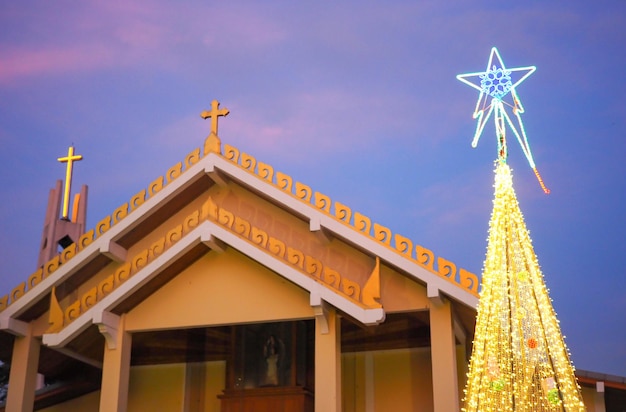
point(225, 285)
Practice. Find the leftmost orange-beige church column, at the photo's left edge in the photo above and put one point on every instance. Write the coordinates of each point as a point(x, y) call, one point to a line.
point(23, 377)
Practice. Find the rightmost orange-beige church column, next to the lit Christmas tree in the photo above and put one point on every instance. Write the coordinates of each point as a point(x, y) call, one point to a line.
point(443, 353)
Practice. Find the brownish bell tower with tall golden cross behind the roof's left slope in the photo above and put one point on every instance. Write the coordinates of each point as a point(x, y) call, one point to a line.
point(62, 228)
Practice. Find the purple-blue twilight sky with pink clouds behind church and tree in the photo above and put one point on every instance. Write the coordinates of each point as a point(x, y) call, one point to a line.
point(357, 99)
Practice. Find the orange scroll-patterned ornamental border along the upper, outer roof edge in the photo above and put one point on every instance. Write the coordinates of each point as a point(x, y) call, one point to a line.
point(362, 224)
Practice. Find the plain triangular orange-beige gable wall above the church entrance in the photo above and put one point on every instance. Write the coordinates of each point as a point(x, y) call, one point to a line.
point(212, 292)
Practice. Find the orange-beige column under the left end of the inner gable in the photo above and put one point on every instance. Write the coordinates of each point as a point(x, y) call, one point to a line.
point(116, 370)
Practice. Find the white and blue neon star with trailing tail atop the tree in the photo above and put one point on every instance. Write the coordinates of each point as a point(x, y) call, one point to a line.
point(494, 84)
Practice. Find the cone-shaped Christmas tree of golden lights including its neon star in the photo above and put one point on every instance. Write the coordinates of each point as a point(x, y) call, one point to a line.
point(519, 360)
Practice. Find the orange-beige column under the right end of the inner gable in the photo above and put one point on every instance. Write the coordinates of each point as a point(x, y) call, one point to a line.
point(328, 363)
